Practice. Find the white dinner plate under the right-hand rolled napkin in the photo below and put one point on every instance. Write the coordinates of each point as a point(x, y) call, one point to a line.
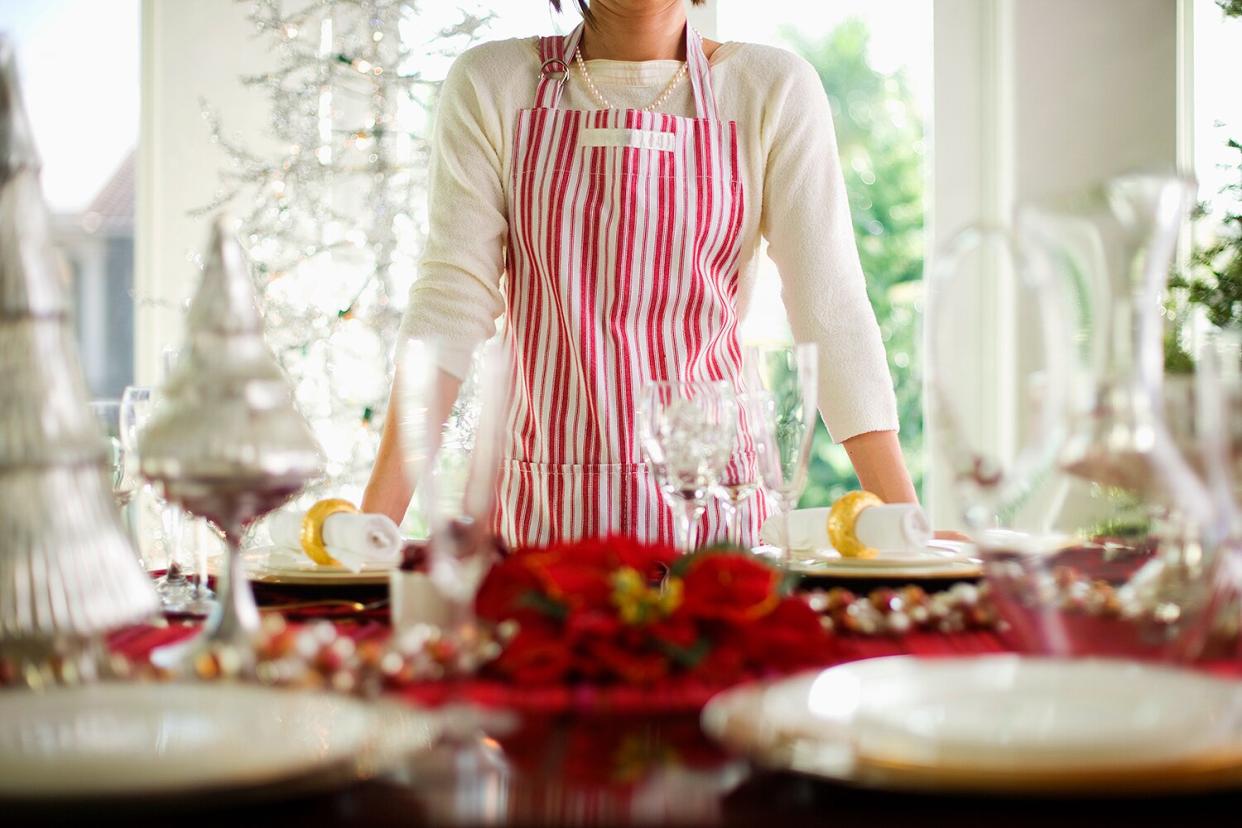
point(940, 559)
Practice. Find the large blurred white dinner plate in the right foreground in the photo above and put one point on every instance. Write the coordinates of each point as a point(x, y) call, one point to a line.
point(994, 723)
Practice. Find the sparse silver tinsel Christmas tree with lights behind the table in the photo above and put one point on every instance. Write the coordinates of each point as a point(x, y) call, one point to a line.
point(333, 223)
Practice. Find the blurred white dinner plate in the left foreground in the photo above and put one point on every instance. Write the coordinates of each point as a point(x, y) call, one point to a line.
point(151, 740)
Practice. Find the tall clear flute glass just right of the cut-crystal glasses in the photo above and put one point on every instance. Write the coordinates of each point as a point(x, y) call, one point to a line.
point(787, 377)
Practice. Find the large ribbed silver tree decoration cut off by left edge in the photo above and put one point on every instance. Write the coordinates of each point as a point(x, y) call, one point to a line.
point(69, 572)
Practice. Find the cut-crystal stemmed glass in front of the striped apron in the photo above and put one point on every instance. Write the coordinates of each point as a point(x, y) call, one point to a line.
point(687, 433)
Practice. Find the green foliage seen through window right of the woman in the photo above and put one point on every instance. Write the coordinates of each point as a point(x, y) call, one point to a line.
point(880, 136)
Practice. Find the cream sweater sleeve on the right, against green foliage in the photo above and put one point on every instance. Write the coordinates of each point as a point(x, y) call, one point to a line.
point(810, 238)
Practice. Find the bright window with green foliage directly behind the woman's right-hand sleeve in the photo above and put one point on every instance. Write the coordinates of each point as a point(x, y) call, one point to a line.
point(875, 59)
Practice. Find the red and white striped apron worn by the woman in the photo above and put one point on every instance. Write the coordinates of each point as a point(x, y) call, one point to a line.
point(623, 269)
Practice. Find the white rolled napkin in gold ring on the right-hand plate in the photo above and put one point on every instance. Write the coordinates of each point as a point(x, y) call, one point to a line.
point(891, 528)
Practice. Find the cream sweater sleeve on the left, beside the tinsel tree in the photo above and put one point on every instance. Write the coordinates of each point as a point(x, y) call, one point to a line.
point(456, 297)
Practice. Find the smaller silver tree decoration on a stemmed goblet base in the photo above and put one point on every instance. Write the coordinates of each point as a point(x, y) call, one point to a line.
point(228, 443)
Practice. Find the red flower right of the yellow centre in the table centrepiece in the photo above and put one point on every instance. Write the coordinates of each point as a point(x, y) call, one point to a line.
point(730, 587)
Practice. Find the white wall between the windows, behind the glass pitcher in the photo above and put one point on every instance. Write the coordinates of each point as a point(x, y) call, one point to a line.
point(1034, 99)
